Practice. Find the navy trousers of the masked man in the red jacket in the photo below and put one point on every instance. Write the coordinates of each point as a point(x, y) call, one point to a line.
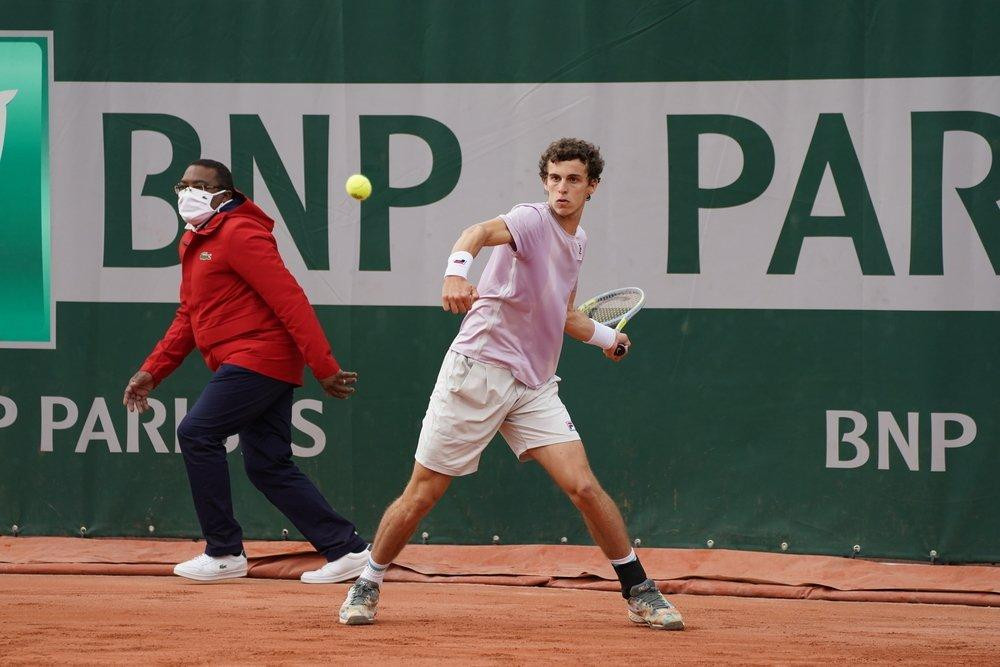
point(259, 409)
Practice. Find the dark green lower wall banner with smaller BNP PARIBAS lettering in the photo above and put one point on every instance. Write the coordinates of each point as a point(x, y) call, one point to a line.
point(717, 428)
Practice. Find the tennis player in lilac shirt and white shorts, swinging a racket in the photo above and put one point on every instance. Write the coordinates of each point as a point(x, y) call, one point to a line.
point(499, 375)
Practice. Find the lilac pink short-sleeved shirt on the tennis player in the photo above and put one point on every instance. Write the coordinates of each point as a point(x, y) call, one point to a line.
point(518, 320)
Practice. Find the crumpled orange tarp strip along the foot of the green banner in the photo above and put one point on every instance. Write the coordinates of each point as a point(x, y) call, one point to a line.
point(696, 571)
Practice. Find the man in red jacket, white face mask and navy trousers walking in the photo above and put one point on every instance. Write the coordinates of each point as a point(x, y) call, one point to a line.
point(255, 328)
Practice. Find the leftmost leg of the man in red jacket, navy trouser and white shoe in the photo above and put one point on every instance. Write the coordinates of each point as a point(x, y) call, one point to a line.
point(233, 398)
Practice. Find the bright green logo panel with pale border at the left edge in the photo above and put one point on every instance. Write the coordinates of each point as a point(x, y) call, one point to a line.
point(25, 286)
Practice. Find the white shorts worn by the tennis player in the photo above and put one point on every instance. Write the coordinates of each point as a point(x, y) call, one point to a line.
point(471, 401)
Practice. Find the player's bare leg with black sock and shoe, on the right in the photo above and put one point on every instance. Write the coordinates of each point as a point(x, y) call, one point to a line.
point(567, 464)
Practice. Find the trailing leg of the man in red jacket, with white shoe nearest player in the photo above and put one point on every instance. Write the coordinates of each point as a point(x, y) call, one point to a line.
point(267, 456)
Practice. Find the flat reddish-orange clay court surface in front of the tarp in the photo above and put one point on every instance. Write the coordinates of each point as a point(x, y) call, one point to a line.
point(139, 619)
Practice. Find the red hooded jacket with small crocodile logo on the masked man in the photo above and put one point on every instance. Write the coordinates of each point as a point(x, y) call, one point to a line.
point(240, 305)
